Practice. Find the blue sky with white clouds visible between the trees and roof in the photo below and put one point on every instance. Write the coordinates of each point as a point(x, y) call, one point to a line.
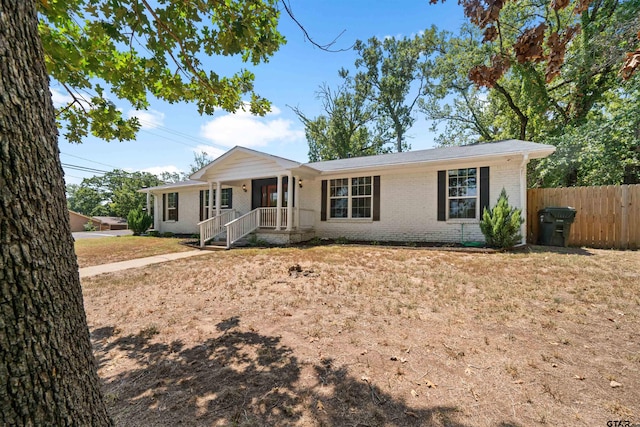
point(171, 134)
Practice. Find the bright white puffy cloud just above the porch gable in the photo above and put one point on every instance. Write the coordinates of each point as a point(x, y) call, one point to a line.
point(243, 128)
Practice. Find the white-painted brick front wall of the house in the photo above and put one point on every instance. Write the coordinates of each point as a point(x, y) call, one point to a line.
point(408, 205)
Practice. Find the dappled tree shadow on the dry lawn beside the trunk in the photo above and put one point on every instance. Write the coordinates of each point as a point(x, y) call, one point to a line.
point(241, 378)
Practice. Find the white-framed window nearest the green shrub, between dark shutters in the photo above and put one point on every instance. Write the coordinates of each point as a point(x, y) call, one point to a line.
point(463, 193)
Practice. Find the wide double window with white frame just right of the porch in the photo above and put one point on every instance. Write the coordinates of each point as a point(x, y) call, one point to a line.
point(350, 197)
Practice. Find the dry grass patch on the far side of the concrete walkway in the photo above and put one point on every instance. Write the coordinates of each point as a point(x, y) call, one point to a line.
point(113, 249)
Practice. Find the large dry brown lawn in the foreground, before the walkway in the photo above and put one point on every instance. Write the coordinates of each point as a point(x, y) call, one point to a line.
point(371, 336)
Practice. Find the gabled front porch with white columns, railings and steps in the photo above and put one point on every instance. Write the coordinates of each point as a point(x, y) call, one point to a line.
point(268, 202)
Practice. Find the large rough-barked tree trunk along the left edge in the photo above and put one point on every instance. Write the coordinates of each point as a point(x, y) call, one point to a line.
point(47, 370)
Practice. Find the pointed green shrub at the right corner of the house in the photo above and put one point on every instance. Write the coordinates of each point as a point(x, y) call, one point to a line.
point(501, 225)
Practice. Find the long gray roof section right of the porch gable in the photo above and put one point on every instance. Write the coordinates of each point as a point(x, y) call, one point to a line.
point(511, 146)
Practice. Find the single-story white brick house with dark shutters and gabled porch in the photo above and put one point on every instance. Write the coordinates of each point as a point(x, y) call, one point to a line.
point(434, 195)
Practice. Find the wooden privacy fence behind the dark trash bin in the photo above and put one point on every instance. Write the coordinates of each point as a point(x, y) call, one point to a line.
point(606, 216)
